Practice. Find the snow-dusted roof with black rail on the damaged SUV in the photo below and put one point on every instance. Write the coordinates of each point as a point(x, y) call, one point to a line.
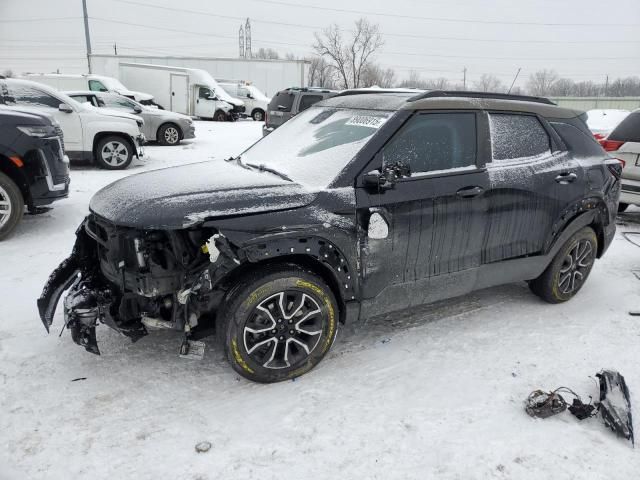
point(401, 99)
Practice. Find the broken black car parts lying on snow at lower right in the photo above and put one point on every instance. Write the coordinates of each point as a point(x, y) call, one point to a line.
point(614, 405)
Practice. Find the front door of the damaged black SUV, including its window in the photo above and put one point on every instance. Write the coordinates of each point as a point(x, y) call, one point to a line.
point(435, 219)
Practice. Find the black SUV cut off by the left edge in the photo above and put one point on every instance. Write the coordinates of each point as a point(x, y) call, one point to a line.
point(33, 168)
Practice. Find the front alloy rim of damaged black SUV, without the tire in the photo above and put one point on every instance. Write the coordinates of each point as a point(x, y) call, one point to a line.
point(283, 329)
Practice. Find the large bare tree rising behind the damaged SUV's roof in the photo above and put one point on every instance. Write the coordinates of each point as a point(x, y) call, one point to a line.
point(349, 57)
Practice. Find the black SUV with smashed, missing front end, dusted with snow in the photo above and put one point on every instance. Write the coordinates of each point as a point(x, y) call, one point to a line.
point(365, 203)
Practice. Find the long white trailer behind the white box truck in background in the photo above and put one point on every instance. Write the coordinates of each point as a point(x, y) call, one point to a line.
point(269, 76)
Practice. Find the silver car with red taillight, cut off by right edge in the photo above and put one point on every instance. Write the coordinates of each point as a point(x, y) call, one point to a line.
point(624, 143)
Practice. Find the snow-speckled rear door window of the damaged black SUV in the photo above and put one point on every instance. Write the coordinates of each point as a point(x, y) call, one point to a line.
point(517, 136)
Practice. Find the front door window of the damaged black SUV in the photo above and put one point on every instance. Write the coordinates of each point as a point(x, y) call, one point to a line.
point(433, 142)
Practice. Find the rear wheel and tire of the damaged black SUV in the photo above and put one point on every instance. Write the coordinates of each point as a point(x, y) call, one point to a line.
point(570, 268)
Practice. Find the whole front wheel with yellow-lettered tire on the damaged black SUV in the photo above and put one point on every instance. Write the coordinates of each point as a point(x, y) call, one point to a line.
point(304, 319)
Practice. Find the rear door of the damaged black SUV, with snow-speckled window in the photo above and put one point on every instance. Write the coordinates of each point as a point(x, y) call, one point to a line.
point(532, 183)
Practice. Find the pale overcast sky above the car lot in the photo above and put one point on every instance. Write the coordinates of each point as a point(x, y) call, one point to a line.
point(437, 38)
